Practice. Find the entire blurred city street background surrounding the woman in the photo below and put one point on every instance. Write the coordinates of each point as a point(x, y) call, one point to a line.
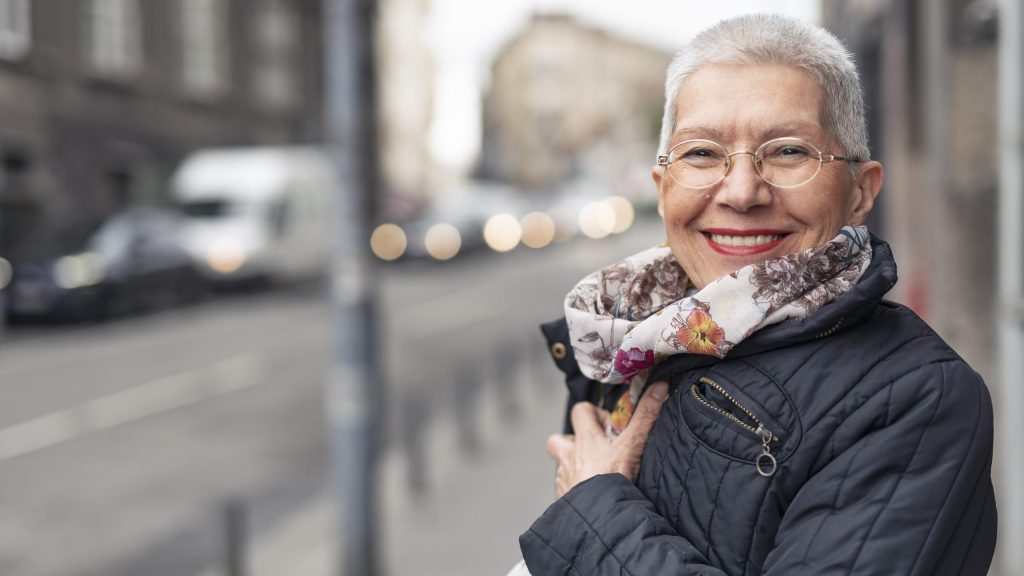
point(189, 190)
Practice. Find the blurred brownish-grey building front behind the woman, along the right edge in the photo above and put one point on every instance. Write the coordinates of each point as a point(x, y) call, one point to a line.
point(936, 90)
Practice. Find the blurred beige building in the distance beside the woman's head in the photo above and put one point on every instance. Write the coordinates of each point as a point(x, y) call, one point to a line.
point(568, 102)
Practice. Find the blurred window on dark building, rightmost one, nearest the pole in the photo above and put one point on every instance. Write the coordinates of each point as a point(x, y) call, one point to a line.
point(276, 52)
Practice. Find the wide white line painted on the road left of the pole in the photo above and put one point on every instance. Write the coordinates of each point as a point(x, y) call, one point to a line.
point(131, 405)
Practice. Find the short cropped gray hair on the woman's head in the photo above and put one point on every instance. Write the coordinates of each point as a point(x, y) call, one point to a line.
point(759, 39)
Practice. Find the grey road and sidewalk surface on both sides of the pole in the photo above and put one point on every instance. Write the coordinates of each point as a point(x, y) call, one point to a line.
point(121, 444)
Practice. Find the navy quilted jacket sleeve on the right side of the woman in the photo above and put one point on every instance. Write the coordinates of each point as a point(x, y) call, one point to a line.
point(909, 490)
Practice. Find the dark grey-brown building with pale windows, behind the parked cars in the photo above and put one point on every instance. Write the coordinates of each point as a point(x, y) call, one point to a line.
point(100, 100)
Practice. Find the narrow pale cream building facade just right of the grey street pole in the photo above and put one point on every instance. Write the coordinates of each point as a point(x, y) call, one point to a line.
point(406, 78)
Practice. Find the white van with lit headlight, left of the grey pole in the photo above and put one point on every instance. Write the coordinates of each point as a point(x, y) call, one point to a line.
point(258, 214)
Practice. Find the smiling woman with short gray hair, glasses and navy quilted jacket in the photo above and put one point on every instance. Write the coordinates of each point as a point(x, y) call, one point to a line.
point(789, 419)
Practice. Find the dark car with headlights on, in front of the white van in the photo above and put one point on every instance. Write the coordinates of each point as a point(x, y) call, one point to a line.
point(133, 261)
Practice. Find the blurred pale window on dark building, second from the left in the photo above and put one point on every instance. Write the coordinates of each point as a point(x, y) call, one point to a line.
point(115, 36)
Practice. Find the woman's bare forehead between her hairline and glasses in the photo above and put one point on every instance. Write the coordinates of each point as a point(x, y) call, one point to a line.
point(730, 102)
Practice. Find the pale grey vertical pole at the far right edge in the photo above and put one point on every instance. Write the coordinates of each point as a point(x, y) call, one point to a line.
point(1011, 286)
